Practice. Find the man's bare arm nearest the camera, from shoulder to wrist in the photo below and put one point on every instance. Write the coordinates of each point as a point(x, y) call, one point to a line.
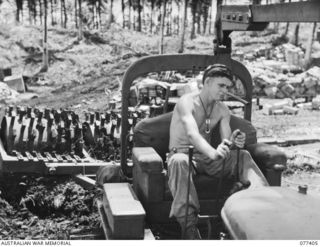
point(185, 108)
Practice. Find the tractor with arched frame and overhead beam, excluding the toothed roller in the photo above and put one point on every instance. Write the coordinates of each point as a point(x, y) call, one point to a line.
point(272, 212)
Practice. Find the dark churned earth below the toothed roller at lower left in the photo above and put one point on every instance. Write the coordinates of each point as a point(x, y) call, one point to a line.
point(45, 208)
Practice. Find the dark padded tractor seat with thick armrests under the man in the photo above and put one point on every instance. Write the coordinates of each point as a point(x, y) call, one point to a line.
point(150, 182)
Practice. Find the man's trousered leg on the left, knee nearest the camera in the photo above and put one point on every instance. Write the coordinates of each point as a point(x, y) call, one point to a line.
point(178, 169)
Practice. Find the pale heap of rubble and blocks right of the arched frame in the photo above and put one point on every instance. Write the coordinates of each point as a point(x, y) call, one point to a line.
point(278, 72)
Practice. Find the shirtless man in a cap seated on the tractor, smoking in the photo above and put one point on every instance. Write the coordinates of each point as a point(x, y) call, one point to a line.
point(194, 117)
